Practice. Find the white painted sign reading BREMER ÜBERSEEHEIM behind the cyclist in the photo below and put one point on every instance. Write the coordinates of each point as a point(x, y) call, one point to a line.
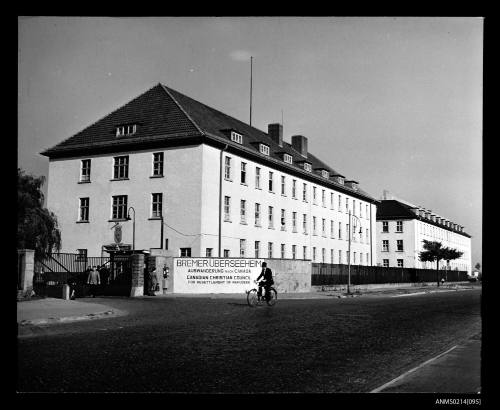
point(215, 275)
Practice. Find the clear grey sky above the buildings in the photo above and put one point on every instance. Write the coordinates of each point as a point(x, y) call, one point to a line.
point(394, 103)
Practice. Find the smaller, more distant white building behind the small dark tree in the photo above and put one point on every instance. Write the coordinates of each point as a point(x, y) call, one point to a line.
point(402, 227)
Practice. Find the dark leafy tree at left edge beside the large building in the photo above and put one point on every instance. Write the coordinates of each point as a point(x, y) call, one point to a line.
point(36, 226)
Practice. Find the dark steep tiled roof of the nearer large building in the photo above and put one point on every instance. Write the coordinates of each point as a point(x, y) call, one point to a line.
point(162, 114)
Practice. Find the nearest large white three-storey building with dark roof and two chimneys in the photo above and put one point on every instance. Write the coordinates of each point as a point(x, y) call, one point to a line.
point(219, 187)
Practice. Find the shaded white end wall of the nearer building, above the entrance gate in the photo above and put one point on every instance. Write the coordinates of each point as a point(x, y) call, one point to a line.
point(181, 188)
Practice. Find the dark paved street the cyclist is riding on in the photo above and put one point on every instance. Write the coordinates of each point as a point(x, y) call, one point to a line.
point(219, 345)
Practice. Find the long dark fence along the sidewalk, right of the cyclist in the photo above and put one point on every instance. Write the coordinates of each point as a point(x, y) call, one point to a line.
point(334, 274)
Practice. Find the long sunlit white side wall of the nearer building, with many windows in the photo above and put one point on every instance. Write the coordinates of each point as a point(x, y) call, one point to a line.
point(233, 231)
